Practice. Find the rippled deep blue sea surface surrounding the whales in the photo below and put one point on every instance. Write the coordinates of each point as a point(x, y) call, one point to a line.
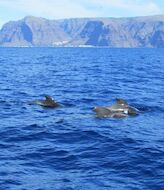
point(69, 148)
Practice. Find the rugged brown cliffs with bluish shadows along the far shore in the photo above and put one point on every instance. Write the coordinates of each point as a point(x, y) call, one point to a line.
point(110, 32)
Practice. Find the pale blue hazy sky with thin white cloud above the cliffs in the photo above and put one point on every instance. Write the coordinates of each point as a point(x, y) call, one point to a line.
point(56, 9)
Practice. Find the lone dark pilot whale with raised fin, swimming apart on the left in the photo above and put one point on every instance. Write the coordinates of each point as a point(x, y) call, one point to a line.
point(47, 102)
